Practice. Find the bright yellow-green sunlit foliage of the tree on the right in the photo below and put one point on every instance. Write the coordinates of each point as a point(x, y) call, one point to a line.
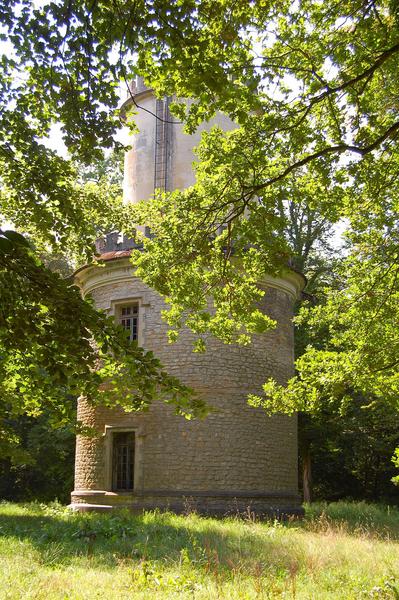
point(313, 88)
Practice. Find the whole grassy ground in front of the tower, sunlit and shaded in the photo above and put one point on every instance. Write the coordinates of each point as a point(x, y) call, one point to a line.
point(340, 550)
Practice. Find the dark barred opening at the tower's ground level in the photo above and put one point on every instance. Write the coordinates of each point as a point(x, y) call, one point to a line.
point(123, 461)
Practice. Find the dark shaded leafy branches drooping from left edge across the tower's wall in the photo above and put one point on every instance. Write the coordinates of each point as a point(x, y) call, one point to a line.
point(55, 346)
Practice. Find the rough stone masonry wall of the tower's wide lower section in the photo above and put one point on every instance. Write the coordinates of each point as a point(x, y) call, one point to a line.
point(236, 449)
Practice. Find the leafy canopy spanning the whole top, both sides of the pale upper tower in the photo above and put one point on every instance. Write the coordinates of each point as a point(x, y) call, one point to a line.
point(312, 87)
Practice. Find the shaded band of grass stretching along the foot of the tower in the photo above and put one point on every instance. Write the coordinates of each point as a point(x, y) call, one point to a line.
point(60, 537)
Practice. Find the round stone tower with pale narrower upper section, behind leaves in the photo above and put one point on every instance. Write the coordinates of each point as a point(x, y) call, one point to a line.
point(237, 459)
